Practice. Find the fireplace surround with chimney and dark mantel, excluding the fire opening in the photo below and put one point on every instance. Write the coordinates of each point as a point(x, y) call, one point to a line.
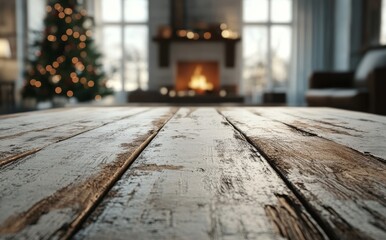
point(170, 44)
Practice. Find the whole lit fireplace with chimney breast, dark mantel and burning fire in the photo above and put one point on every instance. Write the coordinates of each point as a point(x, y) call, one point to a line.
point(198, 34)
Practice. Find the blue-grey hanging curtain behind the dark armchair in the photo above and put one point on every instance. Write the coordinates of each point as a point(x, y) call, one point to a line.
point(312, 46)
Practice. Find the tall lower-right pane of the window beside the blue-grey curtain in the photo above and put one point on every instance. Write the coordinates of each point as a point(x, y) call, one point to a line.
point(280, 52)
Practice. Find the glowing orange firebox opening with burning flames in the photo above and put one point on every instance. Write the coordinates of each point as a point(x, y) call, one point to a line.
point(199, 76)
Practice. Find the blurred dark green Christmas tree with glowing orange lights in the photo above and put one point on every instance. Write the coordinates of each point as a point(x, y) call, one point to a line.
point(64, 60)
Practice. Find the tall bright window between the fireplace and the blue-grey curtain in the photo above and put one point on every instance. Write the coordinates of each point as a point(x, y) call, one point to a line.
point(267, 31)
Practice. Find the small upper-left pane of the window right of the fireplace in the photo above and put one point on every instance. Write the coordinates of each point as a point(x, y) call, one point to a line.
point(255, 10)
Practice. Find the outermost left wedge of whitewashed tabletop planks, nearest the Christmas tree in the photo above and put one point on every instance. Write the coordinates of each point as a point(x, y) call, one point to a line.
point(34, 132)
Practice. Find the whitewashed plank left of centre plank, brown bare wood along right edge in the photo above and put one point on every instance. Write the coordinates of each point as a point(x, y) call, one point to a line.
point(46, 194)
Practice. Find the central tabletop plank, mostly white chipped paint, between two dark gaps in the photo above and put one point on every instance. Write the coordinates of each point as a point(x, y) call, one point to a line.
point(200, 179)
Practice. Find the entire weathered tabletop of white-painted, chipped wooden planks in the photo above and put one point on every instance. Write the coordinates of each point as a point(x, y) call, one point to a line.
point(193, 173)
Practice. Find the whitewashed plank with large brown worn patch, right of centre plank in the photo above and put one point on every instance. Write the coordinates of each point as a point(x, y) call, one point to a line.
point(344, 189)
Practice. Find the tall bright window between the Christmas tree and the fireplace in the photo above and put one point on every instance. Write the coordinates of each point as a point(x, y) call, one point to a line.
point(123, 33)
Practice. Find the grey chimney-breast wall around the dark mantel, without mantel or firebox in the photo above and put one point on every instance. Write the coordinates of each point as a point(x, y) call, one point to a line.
point(210, 11)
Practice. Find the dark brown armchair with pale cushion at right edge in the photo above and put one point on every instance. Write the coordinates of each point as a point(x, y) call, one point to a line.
point(362, 90)
